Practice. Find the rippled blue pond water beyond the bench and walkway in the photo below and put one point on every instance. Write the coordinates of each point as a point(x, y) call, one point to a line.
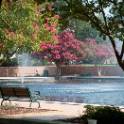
point(109, 93)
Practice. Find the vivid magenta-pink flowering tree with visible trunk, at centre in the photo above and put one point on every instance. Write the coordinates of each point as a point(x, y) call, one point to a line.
point(66, 50)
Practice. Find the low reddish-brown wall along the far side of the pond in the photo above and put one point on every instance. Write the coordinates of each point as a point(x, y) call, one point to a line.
point(91, 70)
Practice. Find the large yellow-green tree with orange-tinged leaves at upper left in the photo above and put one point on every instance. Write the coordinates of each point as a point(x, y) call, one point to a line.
point(22, 28)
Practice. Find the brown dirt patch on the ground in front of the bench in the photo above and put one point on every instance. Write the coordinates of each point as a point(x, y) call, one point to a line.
point(21, 110)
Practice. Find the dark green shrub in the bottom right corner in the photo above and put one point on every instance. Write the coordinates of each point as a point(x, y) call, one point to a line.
point(104, 114)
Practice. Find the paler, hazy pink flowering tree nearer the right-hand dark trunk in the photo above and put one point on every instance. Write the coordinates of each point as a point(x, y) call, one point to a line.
point(96, 53)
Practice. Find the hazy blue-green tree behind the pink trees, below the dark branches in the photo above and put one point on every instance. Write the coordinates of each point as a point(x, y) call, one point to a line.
point(84, 30)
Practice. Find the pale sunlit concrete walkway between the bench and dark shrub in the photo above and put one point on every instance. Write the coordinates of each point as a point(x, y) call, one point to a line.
point(56, 110)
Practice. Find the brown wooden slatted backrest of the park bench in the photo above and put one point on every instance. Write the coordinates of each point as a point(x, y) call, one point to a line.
point(15, 92)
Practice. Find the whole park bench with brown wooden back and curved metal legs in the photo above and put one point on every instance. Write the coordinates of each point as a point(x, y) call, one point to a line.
point(19, 94)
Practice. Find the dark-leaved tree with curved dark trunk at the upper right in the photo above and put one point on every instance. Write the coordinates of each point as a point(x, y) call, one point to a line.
point(107, 16)
